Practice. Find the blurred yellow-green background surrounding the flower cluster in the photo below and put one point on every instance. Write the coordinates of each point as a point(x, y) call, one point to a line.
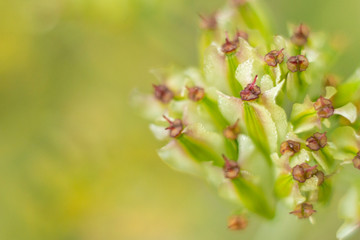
point(77, 161)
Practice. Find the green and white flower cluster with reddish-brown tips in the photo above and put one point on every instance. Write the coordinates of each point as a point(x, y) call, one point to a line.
point(260, 118)
